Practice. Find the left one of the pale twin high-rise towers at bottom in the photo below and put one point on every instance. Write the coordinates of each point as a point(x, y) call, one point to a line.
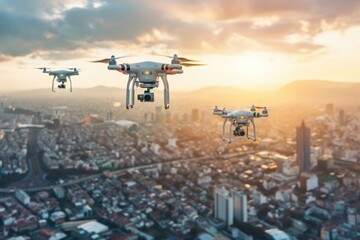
point(224, 206)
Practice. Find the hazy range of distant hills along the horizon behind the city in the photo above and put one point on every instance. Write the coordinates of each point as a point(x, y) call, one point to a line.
point(300, 91)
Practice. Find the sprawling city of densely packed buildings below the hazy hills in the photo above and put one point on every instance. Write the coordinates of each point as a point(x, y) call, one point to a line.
point(168, 177)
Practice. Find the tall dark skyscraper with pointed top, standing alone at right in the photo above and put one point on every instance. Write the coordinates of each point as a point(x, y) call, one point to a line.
point(303, 148)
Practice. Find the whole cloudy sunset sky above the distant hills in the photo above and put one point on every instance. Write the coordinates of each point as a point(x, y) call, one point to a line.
point(251, 44)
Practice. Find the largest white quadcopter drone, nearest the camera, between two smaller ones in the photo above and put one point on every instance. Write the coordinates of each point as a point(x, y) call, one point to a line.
point(146, 75)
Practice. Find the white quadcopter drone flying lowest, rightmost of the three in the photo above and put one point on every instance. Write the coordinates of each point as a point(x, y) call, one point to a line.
point(239, 119)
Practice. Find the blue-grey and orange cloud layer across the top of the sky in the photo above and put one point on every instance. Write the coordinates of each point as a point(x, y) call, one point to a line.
point(49, 28)
